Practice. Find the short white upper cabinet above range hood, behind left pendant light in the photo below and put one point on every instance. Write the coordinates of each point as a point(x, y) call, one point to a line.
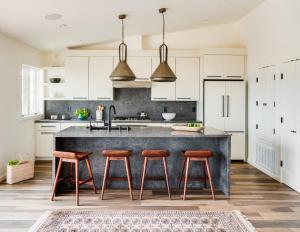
point(140, 65)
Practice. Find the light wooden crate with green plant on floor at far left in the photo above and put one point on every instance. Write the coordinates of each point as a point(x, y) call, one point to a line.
point(18, 170)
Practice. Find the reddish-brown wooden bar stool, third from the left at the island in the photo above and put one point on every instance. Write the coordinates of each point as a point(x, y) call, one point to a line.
point(155, 155)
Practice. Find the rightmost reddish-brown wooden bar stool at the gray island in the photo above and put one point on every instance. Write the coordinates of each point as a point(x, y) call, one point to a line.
point(196, 155)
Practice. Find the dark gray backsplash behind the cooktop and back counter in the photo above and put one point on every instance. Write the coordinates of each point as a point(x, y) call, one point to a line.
point(128, 102)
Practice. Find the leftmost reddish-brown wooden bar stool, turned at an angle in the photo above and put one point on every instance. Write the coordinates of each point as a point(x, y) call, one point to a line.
point(73, 157)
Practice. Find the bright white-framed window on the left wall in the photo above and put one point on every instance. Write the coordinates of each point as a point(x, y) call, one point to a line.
point(32, 101)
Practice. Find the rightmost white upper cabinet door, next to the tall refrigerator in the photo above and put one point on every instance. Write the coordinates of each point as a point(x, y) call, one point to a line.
point(187, 83)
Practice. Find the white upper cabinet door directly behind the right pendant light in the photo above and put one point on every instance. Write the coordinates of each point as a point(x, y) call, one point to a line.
point(163, 91)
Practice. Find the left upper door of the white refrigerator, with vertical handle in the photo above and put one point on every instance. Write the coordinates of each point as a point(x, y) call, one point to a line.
point(214, 103)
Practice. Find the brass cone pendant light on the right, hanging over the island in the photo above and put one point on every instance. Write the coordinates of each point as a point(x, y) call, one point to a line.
point(163, 73)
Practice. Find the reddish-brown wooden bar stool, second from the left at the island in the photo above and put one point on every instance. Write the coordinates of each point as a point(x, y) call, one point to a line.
point(117, 155)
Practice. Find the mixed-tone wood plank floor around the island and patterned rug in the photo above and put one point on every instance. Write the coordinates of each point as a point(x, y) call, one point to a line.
point(269, 205)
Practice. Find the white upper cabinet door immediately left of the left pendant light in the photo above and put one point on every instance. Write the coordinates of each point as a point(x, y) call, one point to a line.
point(100, 85)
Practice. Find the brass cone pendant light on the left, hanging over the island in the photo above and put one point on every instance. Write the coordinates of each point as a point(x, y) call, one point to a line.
point(122, 72)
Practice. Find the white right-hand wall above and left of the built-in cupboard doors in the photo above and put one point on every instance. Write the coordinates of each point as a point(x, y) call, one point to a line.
point(271, 34)
